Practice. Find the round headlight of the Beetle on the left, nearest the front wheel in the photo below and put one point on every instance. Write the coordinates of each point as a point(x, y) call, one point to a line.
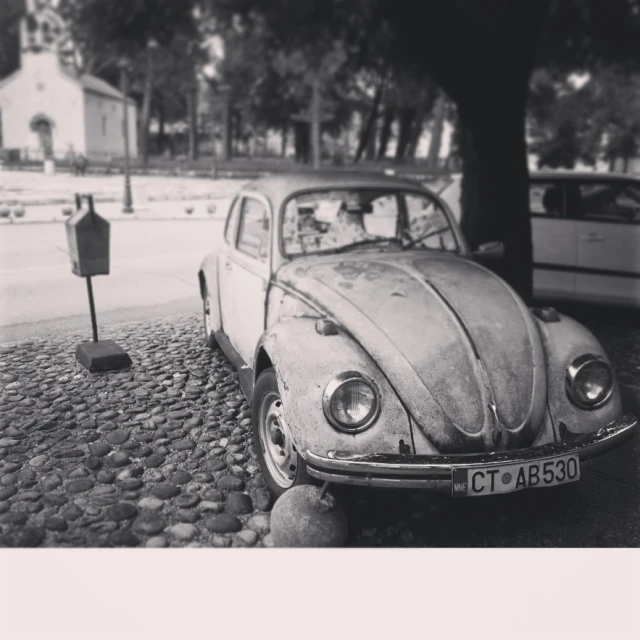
point(351, 402)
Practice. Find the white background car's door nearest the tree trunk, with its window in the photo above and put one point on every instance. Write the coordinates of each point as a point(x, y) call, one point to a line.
point(554, 240)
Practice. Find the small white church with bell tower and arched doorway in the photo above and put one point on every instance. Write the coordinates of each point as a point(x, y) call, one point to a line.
point(47, 110)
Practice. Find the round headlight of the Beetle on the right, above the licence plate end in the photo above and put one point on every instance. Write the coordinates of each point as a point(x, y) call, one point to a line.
point(589, 381)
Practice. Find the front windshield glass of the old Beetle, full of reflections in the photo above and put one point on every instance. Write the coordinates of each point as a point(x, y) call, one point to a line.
point(341, 220)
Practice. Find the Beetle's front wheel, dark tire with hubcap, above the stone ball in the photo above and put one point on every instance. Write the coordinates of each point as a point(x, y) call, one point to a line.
point(281, 465)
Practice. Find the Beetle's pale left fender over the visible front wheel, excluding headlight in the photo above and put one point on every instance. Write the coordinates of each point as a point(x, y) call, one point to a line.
point(305, 362)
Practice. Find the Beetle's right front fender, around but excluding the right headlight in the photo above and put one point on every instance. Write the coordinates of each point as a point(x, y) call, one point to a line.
point(563, 342)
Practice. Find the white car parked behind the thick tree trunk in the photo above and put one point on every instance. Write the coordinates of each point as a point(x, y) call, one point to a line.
point(586, 235)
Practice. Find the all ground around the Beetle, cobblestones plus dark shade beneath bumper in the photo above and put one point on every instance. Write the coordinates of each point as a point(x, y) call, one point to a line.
point(161, 455)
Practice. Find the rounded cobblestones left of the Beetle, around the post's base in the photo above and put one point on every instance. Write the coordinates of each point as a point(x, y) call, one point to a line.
point(158, 455)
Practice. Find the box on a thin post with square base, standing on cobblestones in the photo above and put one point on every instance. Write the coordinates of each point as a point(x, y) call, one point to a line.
point(88, 240)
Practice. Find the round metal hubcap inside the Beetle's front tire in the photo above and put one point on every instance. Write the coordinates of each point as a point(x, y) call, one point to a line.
point(275, 440)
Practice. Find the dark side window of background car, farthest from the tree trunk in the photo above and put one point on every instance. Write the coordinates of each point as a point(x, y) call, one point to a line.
point(610, 202)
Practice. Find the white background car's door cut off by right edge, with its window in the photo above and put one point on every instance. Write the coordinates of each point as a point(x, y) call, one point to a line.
point(607, 216)
